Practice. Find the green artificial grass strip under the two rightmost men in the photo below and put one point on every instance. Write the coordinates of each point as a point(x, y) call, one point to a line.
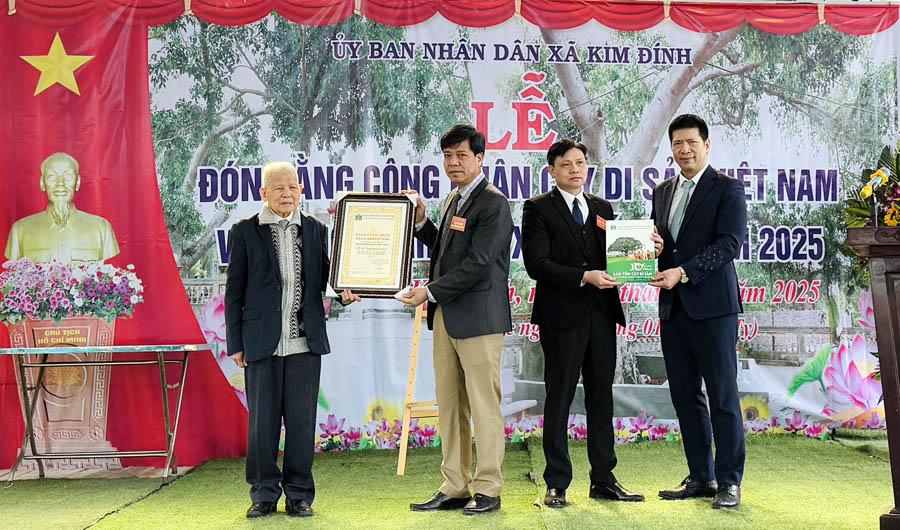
point(790, 483)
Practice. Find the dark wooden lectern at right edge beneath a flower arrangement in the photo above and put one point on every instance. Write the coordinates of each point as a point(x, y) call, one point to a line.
point(881, 245)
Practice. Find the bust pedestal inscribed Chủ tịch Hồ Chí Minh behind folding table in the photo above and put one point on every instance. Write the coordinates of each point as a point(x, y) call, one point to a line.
point(70, 412)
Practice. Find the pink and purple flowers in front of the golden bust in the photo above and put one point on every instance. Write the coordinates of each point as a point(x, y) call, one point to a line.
point(53, 291)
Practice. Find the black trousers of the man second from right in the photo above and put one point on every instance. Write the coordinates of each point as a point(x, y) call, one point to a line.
point(589, 349)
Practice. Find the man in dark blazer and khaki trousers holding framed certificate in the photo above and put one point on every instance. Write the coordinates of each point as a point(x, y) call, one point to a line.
point(469, 312)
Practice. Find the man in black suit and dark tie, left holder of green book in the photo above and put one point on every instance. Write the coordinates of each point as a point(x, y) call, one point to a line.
point(576, 305)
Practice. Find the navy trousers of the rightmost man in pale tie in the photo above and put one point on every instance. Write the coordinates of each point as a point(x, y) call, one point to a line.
point(696, 350)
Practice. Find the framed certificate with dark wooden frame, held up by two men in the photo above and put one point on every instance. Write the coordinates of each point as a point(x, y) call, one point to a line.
point(372, 244)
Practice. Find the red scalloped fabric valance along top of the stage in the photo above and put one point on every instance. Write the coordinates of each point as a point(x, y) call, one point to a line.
point(552, 14)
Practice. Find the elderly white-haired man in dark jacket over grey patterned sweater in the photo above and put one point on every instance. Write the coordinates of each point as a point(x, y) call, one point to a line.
point(275, 330)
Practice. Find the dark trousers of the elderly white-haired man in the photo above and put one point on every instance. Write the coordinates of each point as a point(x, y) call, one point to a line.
point(282, 388)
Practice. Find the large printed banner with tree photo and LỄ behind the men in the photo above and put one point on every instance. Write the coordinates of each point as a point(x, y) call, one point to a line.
point(359, 107)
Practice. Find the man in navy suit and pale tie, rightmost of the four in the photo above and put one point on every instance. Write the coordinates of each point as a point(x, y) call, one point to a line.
point(702, 217)
